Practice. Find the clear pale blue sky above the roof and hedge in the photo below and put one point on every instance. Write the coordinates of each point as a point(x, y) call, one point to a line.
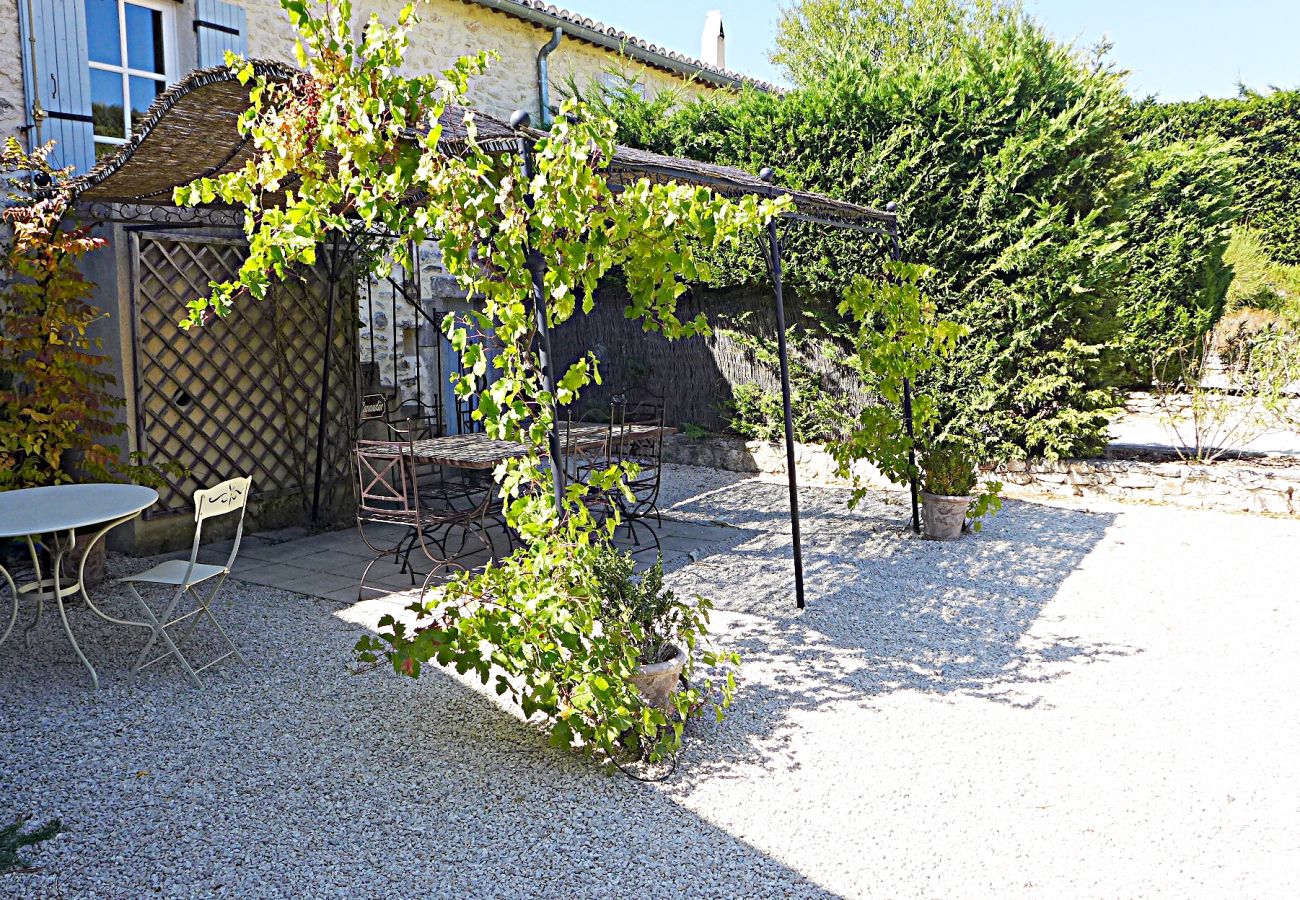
point(1176, 49)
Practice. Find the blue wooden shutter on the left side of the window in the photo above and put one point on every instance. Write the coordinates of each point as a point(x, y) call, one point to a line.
point(59, 75)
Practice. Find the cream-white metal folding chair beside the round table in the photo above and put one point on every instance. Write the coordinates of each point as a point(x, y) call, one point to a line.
point(223, 500)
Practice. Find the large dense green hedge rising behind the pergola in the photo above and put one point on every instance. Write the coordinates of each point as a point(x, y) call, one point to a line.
point(1077, 233)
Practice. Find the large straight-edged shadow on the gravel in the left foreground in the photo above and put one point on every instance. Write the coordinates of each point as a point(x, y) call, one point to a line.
point(289, 777)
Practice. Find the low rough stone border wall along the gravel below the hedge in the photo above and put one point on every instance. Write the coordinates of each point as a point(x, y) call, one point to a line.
point(1229, 486)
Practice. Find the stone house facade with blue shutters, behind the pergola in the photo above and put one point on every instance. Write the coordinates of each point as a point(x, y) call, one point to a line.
point(241, 399)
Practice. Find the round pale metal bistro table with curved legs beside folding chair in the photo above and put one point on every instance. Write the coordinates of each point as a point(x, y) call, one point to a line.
point(59, 512)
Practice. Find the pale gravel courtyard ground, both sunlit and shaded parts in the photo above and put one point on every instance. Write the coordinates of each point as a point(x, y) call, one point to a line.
point(1086, 704)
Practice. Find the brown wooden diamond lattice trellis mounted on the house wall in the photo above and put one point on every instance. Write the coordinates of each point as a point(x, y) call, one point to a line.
point(241, 395)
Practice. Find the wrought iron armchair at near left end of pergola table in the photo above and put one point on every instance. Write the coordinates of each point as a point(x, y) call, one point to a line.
point(391, 495)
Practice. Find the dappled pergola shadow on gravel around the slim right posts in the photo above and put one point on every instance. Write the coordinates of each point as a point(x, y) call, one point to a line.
point(890, 612)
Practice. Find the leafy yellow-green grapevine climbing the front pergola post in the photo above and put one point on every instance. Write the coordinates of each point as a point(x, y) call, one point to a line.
point(361, 146)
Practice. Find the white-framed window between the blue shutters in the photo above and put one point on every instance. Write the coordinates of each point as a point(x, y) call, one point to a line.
point(132, 60)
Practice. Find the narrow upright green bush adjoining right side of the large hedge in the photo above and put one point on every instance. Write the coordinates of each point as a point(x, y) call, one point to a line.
point(1177, 230)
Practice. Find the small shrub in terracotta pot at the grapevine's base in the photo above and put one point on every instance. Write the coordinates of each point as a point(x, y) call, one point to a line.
point(661, 629)
